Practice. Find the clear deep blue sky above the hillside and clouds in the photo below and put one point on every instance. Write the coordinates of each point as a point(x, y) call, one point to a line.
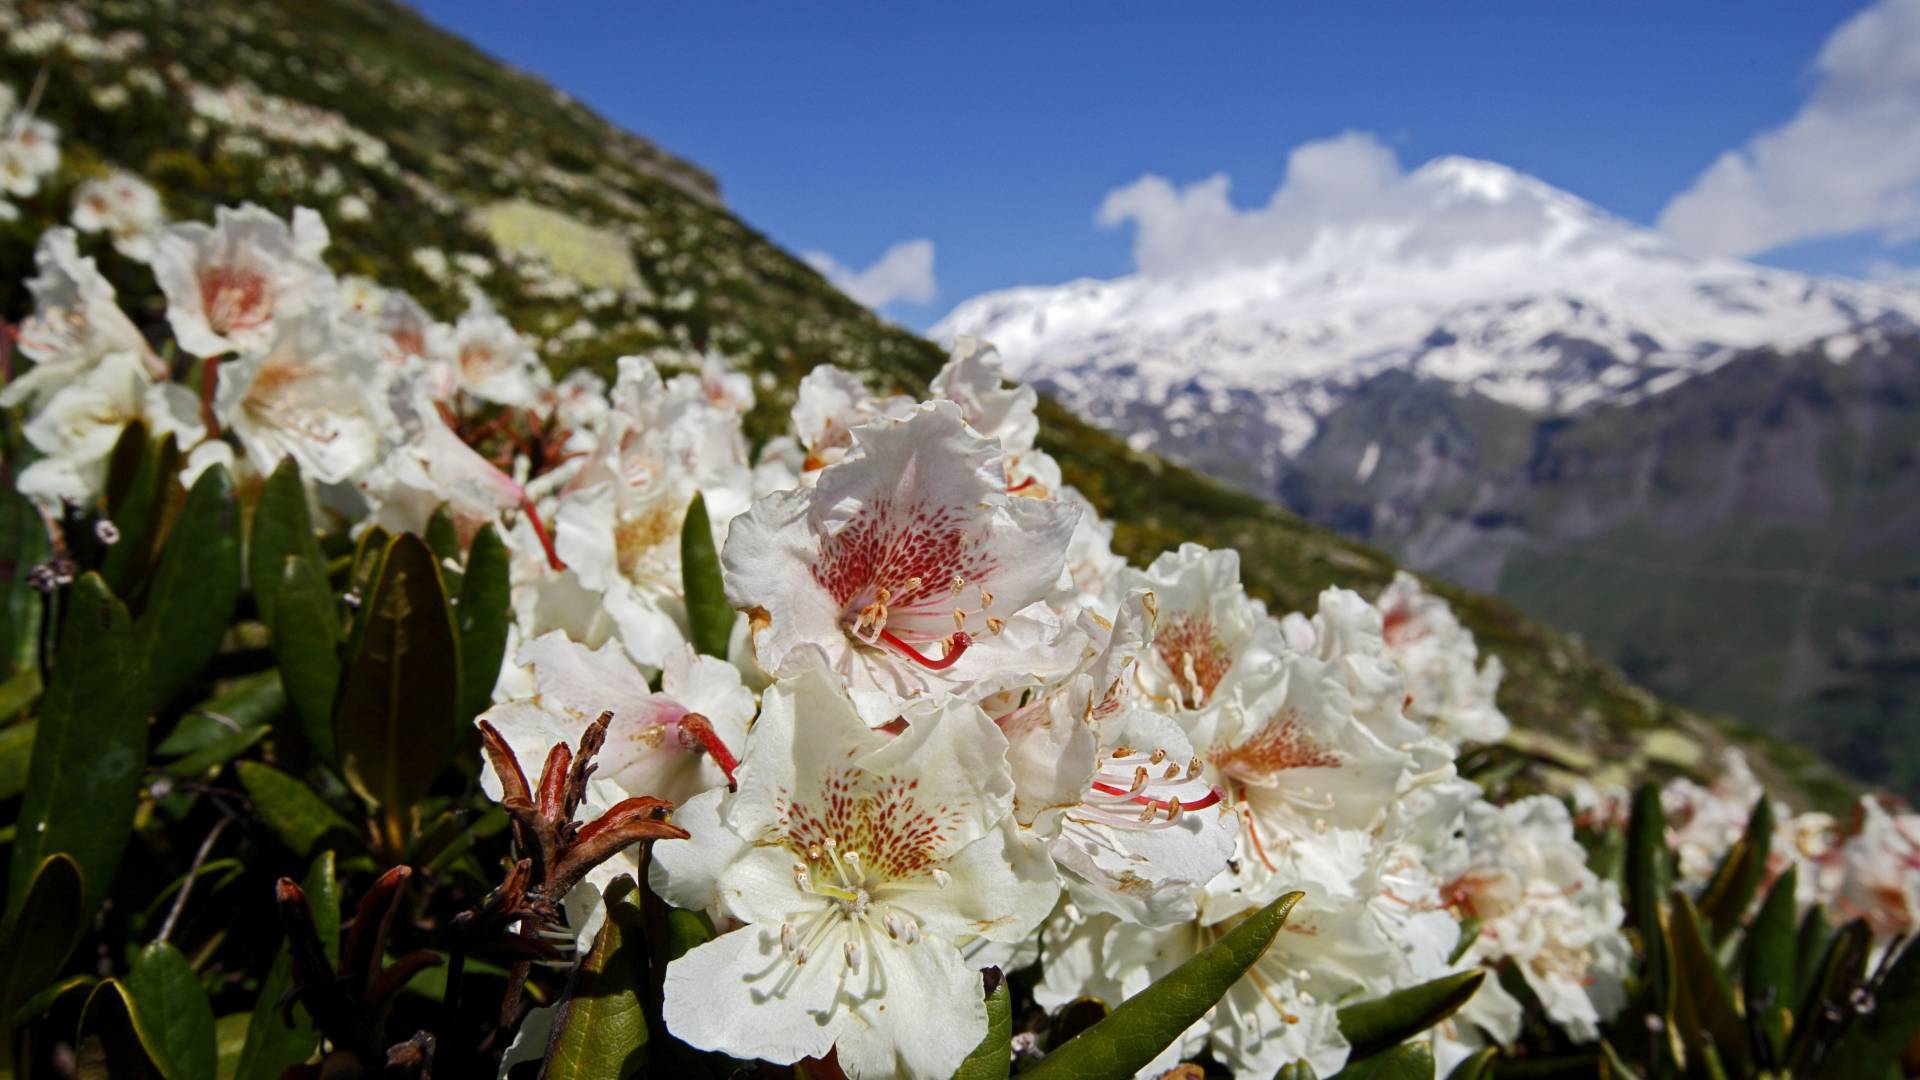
point(997, 130)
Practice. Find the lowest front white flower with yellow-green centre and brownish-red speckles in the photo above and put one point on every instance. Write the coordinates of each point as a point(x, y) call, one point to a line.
point(861, 862)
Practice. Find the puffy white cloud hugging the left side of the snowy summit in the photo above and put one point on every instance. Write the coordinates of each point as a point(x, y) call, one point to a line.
point(1347, 193)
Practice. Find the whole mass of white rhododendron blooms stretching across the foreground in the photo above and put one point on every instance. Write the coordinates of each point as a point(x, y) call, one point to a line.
point(953, 729)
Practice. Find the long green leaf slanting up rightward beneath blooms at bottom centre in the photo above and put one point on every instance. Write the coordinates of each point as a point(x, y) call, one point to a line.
point(1147, 1023)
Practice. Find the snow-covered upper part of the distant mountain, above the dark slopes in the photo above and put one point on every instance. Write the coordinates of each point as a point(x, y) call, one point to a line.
point(1462, 272)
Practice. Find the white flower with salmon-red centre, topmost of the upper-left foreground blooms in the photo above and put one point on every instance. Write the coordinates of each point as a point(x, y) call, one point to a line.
point(229, 285)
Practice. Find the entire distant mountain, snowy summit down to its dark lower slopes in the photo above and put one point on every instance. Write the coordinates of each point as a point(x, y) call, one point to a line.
point(1510, 389)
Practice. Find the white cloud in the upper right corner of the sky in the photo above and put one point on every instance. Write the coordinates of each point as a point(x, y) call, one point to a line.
point(1846, 164)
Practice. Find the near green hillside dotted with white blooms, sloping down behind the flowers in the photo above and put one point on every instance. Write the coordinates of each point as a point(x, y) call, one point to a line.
point(441, 170)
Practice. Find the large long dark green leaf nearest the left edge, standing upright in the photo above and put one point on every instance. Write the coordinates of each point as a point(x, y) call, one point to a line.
point(89, 750)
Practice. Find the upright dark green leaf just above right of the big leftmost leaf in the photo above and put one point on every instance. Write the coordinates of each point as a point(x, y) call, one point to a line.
point(195, 589)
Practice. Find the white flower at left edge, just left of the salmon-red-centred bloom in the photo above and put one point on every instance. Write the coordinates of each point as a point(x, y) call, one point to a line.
point(76, 324)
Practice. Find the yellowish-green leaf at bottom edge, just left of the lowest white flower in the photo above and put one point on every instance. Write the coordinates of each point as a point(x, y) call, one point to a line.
point(600, 1025)
